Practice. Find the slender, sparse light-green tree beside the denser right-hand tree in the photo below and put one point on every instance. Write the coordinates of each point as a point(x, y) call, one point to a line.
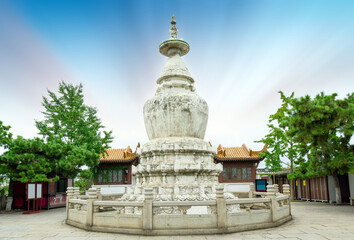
point(280, 138)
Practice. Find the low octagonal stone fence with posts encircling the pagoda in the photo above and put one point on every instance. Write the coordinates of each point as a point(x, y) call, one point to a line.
point(177, 217)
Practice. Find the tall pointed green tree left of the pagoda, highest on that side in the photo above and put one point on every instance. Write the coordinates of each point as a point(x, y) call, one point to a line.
point(75, 127)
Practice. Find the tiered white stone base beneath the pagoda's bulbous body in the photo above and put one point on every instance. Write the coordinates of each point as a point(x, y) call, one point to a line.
point(177, 169)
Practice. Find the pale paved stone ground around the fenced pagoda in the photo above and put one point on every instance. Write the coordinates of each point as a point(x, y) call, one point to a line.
point(311, 221)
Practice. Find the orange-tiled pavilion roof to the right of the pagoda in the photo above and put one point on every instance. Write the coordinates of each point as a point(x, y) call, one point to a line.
point(238, 153)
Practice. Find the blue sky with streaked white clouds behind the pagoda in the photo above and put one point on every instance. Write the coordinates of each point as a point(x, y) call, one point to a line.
point(242, 54)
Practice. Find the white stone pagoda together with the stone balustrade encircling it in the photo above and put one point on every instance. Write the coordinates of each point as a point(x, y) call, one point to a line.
point(177, 190)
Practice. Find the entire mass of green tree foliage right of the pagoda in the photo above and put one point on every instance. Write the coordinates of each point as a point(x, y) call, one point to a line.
point(316, 134)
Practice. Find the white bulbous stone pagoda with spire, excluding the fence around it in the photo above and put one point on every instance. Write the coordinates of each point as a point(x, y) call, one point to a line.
point(176, 162)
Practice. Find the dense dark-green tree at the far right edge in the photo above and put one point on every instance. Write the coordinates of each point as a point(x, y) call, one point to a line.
point(325, 125)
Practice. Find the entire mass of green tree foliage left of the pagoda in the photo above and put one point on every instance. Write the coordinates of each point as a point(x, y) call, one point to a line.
point(71, 139)
